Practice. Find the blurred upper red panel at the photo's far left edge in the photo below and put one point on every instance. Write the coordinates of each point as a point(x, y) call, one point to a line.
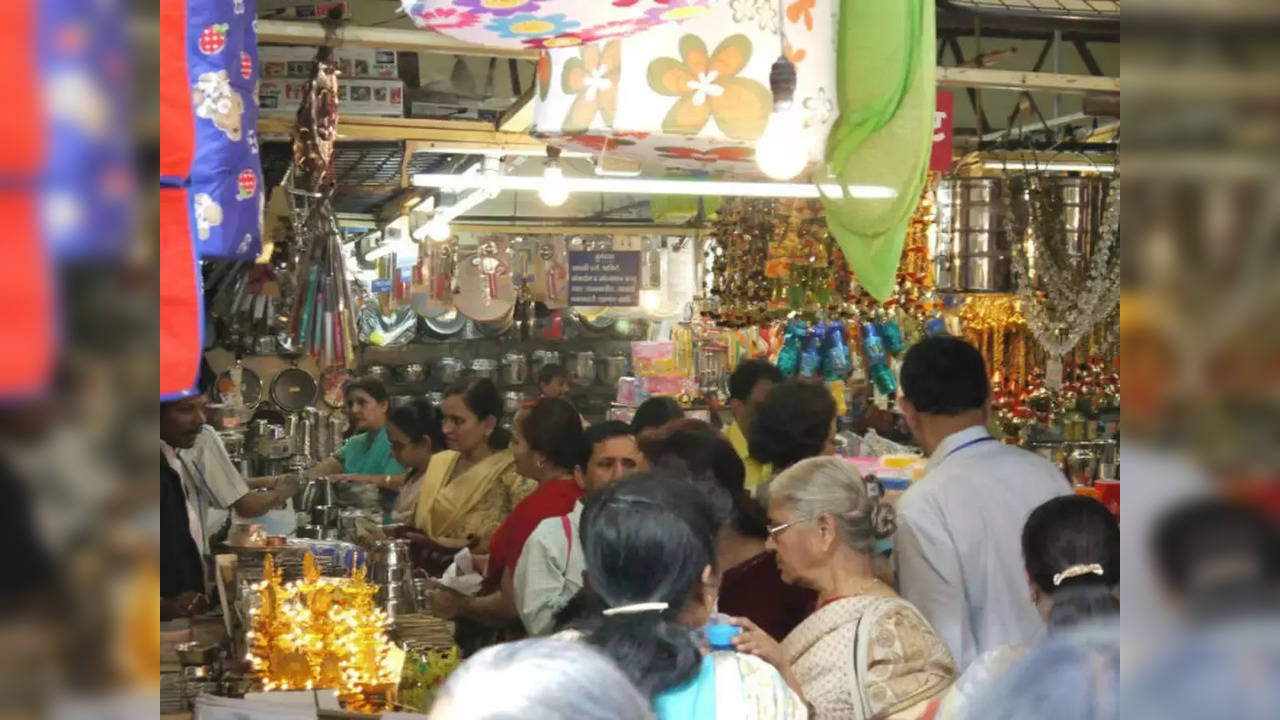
point(22, 129)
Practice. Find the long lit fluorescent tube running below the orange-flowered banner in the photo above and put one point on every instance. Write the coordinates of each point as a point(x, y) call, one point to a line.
point(660, 186)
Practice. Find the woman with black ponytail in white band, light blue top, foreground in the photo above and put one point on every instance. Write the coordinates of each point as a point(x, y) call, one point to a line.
point(650, 541)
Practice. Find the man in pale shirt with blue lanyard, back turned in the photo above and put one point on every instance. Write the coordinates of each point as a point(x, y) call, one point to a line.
point(958, 545)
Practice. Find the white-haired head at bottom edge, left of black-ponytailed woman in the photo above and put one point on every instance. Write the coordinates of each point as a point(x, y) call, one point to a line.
point(541, 680)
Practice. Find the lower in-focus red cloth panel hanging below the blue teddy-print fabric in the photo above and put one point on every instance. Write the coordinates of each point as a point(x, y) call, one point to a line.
point(180, 298)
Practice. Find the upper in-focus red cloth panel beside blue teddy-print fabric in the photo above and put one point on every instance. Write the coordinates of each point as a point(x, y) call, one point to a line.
point(177, 122)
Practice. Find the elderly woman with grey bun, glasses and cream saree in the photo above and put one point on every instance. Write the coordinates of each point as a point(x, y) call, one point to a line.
point(865, 654)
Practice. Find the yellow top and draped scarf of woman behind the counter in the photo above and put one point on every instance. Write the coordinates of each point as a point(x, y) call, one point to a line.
point(474, 503)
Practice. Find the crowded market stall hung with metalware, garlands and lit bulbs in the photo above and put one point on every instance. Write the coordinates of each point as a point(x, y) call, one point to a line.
point(711, 185)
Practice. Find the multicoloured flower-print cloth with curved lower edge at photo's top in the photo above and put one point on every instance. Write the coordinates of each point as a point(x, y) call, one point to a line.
point(548, 24)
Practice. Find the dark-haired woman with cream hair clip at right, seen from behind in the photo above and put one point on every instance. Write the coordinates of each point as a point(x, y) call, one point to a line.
point(1072, 555)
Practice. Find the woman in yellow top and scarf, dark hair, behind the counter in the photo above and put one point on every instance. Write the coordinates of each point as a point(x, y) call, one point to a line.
point(470, 489)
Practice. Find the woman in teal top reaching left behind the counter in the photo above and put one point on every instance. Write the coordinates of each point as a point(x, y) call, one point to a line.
point(365, 461)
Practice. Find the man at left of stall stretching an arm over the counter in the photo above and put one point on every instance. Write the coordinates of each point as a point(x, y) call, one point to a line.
point(188, 490)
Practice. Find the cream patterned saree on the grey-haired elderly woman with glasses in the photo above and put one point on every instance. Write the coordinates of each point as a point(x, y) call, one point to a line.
point(868, 658)
